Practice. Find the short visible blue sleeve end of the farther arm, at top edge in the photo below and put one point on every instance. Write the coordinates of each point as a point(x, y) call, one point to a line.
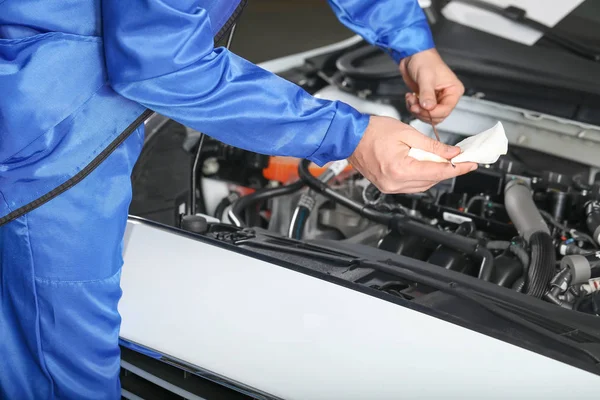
point(397, 26)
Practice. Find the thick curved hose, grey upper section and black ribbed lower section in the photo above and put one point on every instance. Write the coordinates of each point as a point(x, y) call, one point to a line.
point(530, 224)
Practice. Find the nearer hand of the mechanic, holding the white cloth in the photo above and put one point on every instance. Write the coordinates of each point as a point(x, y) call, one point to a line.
point(382, 158)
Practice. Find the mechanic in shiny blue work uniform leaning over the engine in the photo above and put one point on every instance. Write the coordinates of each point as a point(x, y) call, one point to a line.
point(77, 78)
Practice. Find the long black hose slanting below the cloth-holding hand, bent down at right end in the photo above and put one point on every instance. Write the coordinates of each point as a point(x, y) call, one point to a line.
point(401, 223)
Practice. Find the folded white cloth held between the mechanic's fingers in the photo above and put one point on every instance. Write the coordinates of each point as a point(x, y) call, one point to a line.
point(483, 148)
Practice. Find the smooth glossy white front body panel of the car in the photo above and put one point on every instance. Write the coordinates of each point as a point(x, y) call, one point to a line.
point(299, 337)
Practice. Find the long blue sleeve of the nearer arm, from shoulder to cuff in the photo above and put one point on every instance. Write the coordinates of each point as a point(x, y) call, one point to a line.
point(161, 54)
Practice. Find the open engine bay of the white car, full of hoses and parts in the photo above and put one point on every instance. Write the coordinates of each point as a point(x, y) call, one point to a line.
point(529, 223)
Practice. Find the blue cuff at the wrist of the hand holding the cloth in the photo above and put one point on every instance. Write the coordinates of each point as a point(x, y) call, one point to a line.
point(345, 132)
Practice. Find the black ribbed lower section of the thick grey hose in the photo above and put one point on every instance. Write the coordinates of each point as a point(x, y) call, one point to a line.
point(542, 265)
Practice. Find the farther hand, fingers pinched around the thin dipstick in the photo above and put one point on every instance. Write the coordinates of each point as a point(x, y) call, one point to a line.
point(436, 88)
